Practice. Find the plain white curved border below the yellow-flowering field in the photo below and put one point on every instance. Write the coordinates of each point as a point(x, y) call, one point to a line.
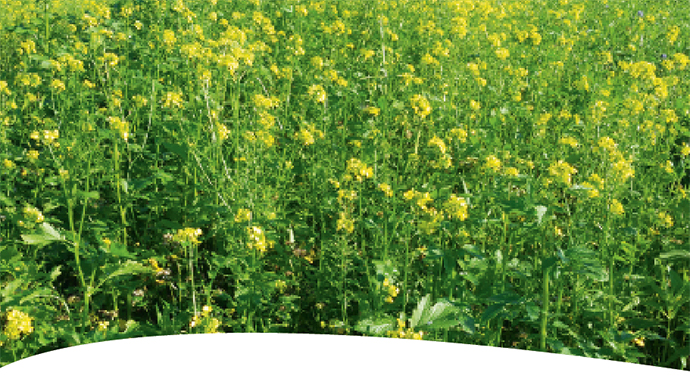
point(311, 356)
